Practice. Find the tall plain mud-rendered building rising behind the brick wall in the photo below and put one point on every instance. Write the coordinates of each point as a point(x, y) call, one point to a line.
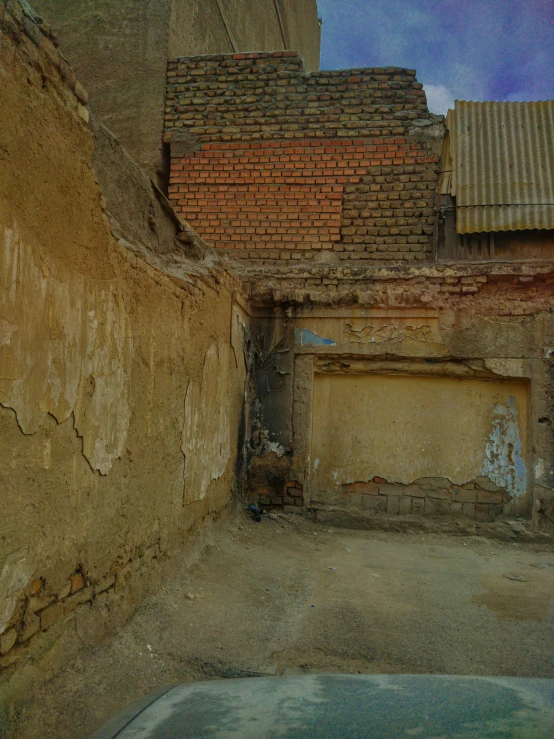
point(119, 50)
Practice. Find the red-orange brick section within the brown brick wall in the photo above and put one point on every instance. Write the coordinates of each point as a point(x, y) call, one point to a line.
point(258, 195)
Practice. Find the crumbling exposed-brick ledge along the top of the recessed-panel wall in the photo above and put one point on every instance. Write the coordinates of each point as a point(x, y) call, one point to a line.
point(502, 289)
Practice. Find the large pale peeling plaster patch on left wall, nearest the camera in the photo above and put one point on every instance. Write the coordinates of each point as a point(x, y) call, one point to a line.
point(65, 348)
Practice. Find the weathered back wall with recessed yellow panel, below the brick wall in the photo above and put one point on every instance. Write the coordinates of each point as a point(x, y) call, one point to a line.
point(425, 391)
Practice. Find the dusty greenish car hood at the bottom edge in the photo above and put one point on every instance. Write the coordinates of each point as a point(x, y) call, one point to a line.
point(344, 707)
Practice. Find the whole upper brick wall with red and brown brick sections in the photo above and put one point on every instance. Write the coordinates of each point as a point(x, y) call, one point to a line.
point(270, 163)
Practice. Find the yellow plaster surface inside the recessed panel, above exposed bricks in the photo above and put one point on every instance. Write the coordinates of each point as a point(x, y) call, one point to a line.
point(403, 428)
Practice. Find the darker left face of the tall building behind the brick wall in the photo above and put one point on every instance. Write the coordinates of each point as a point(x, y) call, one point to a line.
point(119, 52)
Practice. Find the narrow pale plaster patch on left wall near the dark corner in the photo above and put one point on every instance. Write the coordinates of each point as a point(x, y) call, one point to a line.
point(206, 443)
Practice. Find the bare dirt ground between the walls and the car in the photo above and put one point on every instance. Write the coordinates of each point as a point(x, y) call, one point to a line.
point(286, 596)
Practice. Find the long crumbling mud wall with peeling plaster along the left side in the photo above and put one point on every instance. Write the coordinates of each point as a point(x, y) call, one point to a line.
point(122, 371)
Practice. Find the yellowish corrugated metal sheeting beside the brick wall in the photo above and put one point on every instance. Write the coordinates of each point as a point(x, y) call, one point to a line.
point(503, 161)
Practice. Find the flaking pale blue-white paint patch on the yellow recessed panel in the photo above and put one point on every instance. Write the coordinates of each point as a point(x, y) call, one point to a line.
point(503, 462)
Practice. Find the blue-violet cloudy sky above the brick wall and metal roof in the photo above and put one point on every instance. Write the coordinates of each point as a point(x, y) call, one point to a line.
point(462, 49)
